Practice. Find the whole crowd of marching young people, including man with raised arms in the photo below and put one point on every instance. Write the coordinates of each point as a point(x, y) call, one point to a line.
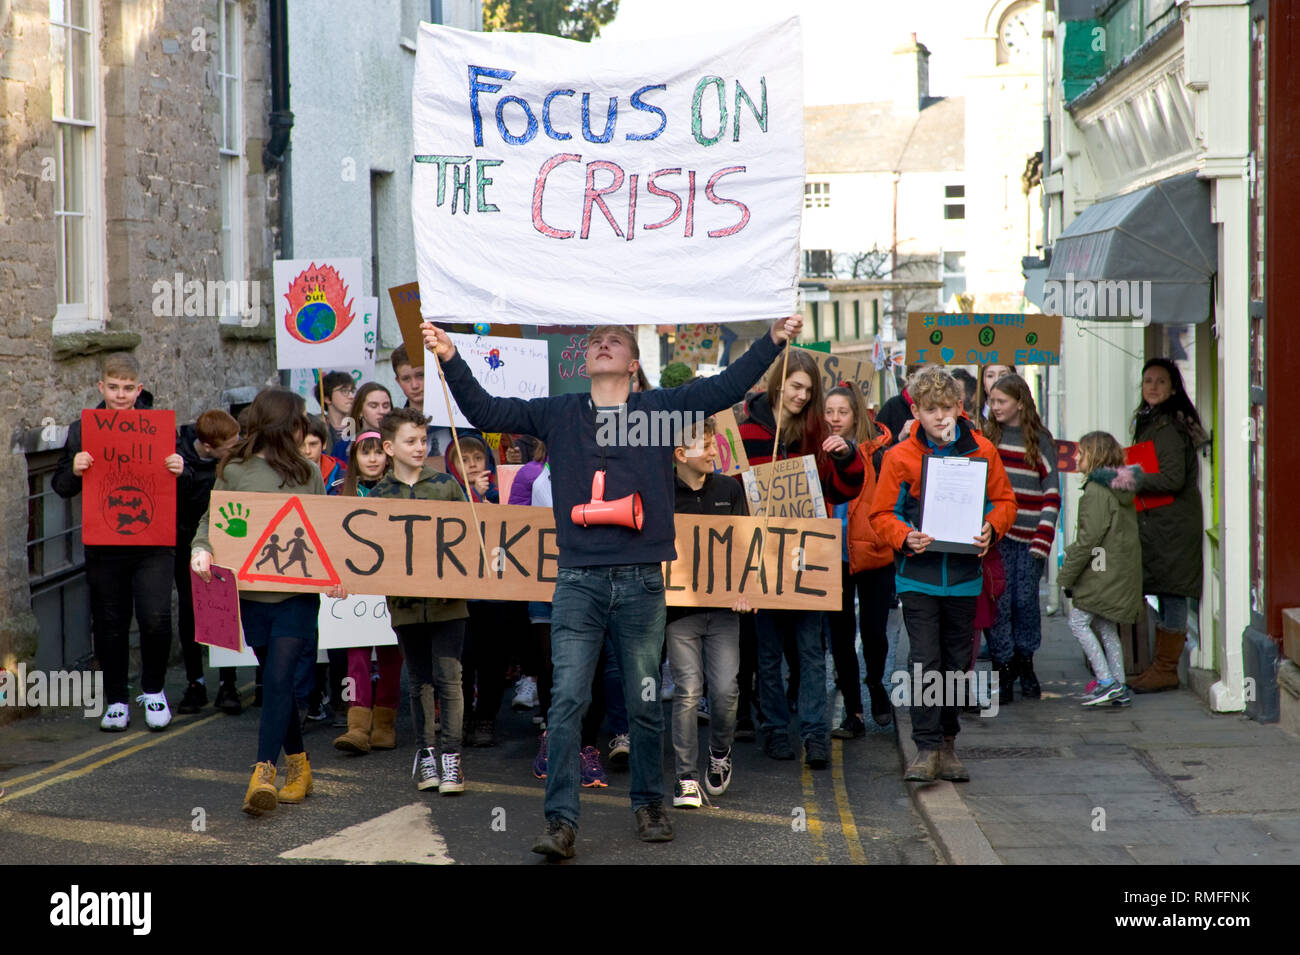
point(583, 659)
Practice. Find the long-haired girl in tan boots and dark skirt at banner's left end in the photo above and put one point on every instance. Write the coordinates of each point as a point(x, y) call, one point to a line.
point(279, 627)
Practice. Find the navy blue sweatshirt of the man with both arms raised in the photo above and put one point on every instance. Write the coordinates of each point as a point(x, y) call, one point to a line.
point(569, 423)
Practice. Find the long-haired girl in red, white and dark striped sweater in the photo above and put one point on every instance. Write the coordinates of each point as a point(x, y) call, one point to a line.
point(1029, 455)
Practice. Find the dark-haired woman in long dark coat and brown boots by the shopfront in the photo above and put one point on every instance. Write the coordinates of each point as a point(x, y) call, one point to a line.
point(1171, 533)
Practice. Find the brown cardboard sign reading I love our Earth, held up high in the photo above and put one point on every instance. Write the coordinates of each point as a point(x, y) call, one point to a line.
point(982, 338)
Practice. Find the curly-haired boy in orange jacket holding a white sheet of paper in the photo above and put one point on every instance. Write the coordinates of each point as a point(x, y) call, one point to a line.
point(938, 589)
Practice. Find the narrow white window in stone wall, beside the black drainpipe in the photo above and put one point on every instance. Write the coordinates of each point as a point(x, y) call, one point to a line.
point(231, 154)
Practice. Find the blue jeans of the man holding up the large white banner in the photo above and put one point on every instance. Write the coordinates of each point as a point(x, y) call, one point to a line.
point(625, 602)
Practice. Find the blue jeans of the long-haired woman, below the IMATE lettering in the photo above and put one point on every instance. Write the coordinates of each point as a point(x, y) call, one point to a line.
point(772, 628)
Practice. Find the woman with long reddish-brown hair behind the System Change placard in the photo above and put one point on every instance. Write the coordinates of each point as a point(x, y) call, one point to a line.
point(803, 432)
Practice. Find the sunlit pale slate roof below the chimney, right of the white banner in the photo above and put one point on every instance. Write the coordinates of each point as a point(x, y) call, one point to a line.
point(870, 138)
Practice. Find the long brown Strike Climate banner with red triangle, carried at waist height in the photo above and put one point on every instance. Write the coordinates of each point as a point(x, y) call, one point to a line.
point(428, 549)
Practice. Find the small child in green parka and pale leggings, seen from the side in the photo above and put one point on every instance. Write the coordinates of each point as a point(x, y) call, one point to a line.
point(1102, 574)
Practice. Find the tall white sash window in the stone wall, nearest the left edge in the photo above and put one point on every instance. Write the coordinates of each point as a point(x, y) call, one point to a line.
point(90, 314)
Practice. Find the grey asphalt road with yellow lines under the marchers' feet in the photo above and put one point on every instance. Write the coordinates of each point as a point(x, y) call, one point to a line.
point(80, 797)
